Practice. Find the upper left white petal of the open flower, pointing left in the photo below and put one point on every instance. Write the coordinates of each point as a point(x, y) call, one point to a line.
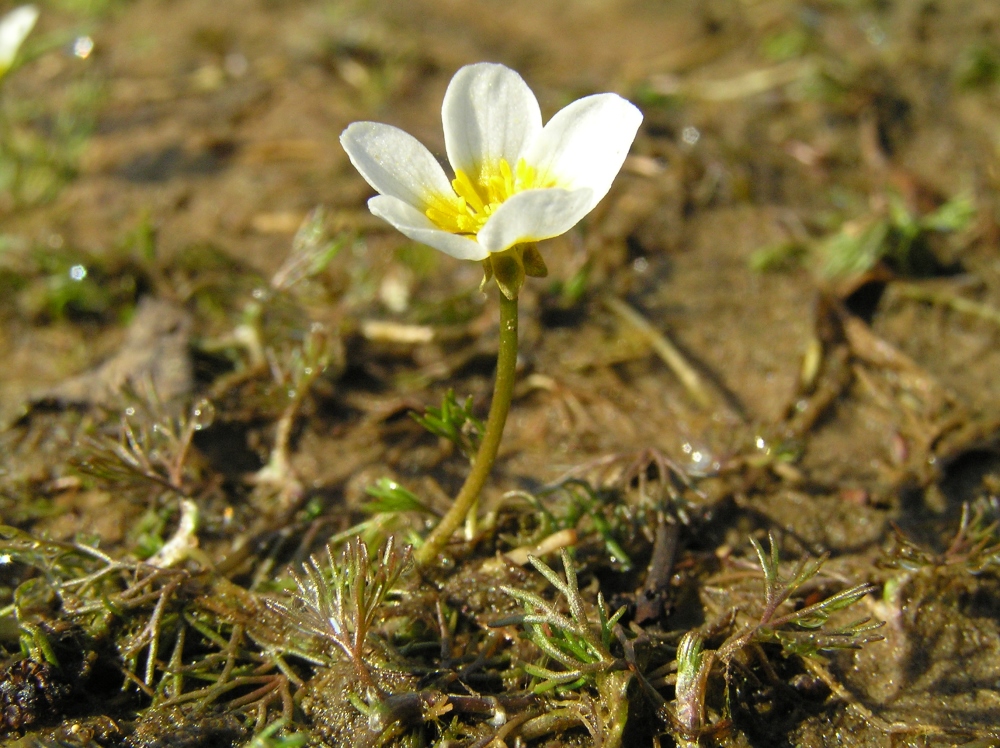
point(395, 163)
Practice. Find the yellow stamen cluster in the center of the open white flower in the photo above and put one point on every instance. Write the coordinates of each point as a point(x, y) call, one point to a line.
point(474, 200)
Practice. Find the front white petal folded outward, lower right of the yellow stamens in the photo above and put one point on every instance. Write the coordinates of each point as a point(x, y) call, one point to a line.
point(534, 215)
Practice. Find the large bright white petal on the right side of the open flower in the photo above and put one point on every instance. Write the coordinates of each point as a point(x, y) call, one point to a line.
point(585, 143)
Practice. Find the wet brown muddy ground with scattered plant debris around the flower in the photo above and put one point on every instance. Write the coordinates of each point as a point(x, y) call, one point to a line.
point(808, 220)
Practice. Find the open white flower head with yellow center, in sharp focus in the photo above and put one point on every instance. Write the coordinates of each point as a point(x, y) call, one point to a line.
point(516, 182)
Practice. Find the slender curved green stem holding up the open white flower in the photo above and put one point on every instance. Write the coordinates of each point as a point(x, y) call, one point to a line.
point(503, 391)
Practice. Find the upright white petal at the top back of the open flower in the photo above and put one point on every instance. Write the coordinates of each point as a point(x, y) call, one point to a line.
point(489, 113)
